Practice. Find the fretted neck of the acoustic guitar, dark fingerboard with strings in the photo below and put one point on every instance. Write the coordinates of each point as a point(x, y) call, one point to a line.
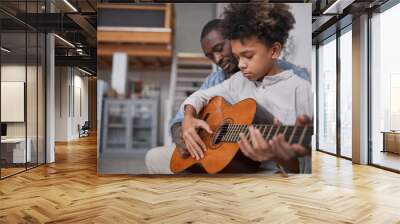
point(293, 134)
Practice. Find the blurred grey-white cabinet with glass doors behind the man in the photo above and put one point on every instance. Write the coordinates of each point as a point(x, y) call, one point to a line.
point(130, 126)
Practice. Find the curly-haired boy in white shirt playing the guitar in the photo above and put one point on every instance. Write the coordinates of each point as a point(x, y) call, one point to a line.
point(258, 32)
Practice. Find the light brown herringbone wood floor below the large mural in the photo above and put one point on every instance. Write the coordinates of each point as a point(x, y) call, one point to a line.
point(70, 191)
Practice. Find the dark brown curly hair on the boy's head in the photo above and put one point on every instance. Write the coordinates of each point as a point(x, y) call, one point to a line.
point(269, 22)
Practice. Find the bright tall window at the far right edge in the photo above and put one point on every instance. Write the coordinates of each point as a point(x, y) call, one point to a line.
point(385, 85)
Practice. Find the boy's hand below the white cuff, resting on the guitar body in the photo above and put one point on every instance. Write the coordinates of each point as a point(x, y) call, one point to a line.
point(193, 142)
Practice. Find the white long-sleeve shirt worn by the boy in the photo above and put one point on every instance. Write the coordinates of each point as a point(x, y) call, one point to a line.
point(284, 95)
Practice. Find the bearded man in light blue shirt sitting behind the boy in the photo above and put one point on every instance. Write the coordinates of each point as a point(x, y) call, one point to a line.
point(218, 50)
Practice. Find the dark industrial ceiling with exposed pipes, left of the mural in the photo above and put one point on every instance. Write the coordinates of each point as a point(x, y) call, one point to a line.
point(73, 20)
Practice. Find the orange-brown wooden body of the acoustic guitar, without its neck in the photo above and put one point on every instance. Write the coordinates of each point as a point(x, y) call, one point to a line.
point(222, 157)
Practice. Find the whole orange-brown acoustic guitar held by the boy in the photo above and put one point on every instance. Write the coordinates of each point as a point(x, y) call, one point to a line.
point(227, 122)
